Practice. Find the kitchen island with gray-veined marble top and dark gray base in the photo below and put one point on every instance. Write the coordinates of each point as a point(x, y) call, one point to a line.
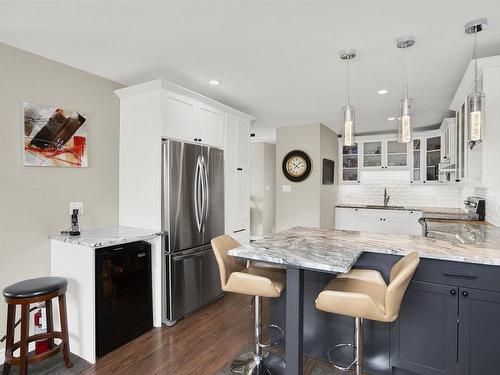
point(455, 281)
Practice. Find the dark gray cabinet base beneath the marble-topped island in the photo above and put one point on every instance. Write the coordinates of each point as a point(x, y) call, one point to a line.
point(448, 322)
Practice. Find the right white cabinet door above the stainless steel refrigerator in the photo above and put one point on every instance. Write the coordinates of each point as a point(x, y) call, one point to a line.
point(209, 126)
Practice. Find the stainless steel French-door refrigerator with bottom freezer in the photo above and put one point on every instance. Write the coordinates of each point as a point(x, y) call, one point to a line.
point(192, 214)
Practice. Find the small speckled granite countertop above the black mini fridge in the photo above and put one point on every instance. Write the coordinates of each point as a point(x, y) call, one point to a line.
point(109, 236)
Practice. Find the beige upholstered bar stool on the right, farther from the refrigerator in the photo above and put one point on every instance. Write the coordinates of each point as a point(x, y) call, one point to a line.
point(363, 294)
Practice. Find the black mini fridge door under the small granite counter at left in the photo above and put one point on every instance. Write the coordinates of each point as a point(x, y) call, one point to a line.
point(124, 308)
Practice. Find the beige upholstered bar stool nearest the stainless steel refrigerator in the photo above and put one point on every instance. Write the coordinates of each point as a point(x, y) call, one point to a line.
point(257, 282)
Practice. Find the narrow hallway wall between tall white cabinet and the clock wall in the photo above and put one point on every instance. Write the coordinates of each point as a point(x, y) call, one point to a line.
point(262, 188)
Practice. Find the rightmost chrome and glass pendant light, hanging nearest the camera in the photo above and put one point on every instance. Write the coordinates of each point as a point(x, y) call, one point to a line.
point(475, 100)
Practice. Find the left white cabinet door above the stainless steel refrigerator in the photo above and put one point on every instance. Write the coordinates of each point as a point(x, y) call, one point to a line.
point(179, 117)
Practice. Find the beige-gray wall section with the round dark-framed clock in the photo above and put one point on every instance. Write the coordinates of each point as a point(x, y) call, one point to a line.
point(303, 205)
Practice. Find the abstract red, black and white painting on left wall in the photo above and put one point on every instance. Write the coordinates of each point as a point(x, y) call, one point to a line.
point(54, 137)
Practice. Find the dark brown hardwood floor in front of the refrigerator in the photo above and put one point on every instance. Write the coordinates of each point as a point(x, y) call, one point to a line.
point(201, 344)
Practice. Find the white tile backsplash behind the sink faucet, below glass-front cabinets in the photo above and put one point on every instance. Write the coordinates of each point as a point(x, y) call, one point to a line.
point(402, 193)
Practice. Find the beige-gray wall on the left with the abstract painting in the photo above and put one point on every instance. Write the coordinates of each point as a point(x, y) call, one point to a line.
point(34, 201)
